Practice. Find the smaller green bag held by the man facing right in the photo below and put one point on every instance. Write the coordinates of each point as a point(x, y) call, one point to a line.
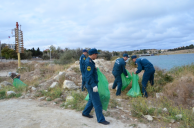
point(125, 81)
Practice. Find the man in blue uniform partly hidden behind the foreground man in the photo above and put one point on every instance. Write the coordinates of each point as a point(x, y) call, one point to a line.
point(82, 67)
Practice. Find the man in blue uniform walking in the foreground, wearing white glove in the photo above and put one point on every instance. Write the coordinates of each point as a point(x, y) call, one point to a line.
point(91, 78)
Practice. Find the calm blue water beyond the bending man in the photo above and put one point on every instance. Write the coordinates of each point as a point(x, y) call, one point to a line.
point(169, 61)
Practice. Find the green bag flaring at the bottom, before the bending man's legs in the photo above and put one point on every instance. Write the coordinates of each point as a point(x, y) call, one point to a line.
point(135, 90)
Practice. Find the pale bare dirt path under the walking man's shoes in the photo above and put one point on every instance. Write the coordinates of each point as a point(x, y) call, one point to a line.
point(20, 113)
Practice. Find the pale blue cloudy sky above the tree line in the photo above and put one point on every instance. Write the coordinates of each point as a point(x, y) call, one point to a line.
point(113, 25)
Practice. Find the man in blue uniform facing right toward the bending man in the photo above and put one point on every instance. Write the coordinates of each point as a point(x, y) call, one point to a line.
point(118, 69)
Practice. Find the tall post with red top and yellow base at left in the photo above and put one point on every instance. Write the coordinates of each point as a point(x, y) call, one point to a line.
point(19, 42)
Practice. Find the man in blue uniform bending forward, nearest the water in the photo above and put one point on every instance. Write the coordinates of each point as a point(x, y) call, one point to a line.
point(144, 64)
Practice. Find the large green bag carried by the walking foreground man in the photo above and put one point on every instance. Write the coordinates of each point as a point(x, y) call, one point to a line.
point(102, 90)
